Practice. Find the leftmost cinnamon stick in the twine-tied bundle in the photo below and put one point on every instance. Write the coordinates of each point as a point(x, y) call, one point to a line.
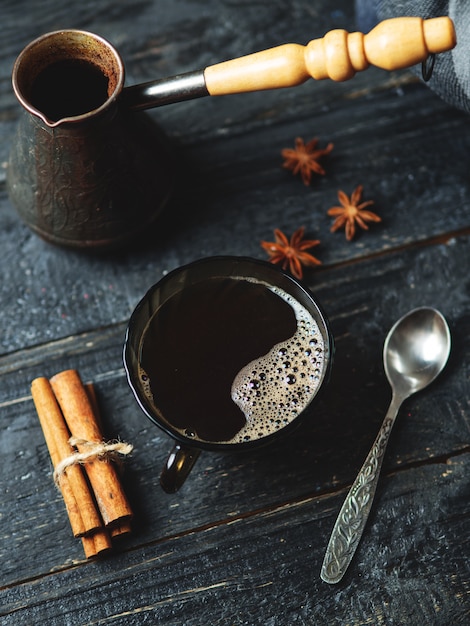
point(79, 502)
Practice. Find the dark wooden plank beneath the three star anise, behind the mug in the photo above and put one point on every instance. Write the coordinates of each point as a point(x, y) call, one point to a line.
point(231, 201)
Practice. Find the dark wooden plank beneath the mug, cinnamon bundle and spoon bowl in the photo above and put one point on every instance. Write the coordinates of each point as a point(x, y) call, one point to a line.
point(322, 456)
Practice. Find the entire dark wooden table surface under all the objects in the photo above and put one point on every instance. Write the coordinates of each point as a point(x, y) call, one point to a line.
point(244, 539)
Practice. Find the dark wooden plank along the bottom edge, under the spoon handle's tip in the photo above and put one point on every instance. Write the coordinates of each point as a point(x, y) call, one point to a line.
point(264, 568)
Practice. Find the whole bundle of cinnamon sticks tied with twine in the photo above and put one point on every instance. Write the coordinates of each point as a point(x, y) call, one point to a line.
point(96, 504)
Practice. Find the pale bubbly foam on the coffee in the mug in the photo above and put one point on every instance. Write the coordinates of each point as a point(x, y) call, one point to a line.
point(274, 389)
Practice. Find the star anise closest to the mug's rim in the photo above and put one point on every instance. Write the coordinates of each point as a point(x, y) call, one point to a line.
point(291, 253)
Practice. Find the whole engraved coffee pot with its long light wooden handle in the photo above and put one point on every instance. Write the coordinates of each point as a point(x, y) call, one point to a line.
point(84, 170)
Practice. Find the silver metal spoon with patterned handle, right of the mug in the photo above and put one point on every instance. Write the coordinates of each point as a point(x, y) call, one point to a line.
point(415, 352)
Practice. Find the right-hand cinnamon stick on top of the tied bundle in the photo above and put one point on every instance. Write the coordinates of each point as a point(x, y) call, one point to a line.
point(78, 413)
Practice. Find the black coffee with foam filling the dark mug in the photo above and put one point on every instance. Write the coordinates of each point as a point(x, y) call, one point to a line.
point(230, 360)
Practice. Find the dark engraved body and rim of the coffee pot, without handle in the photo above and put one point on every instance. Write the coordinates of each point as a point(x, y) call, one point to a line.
point(83, 173)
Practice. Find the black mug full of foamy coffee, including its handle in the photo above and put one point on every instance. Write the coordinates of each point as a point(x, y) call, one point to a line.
point(225, 353)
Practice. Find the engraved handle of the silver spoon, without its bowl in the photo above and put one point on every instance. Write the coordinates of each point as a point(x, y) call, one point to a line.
point(352, 518)
